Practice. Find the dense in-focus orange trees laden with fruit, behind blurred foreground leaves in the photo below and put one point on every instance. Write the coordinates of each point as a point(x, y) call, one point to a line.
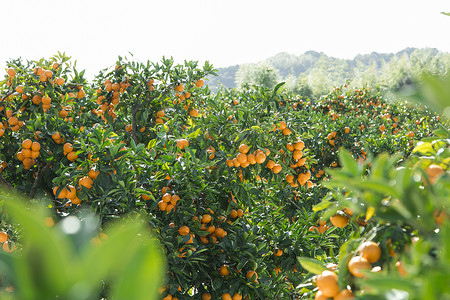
point(229, 181)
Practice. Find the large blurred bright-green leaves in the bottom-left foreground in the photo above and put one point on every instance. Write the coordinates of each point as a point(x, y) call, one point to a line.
point(72, 259)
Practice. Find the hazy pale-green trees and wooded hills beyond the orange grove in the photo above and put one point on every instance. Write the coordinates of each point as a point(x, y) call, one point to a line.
point(313, 74)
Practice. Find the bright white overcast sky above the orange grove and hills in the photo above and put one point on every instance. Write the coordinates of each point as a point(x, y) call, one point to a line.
point(225, 32)
